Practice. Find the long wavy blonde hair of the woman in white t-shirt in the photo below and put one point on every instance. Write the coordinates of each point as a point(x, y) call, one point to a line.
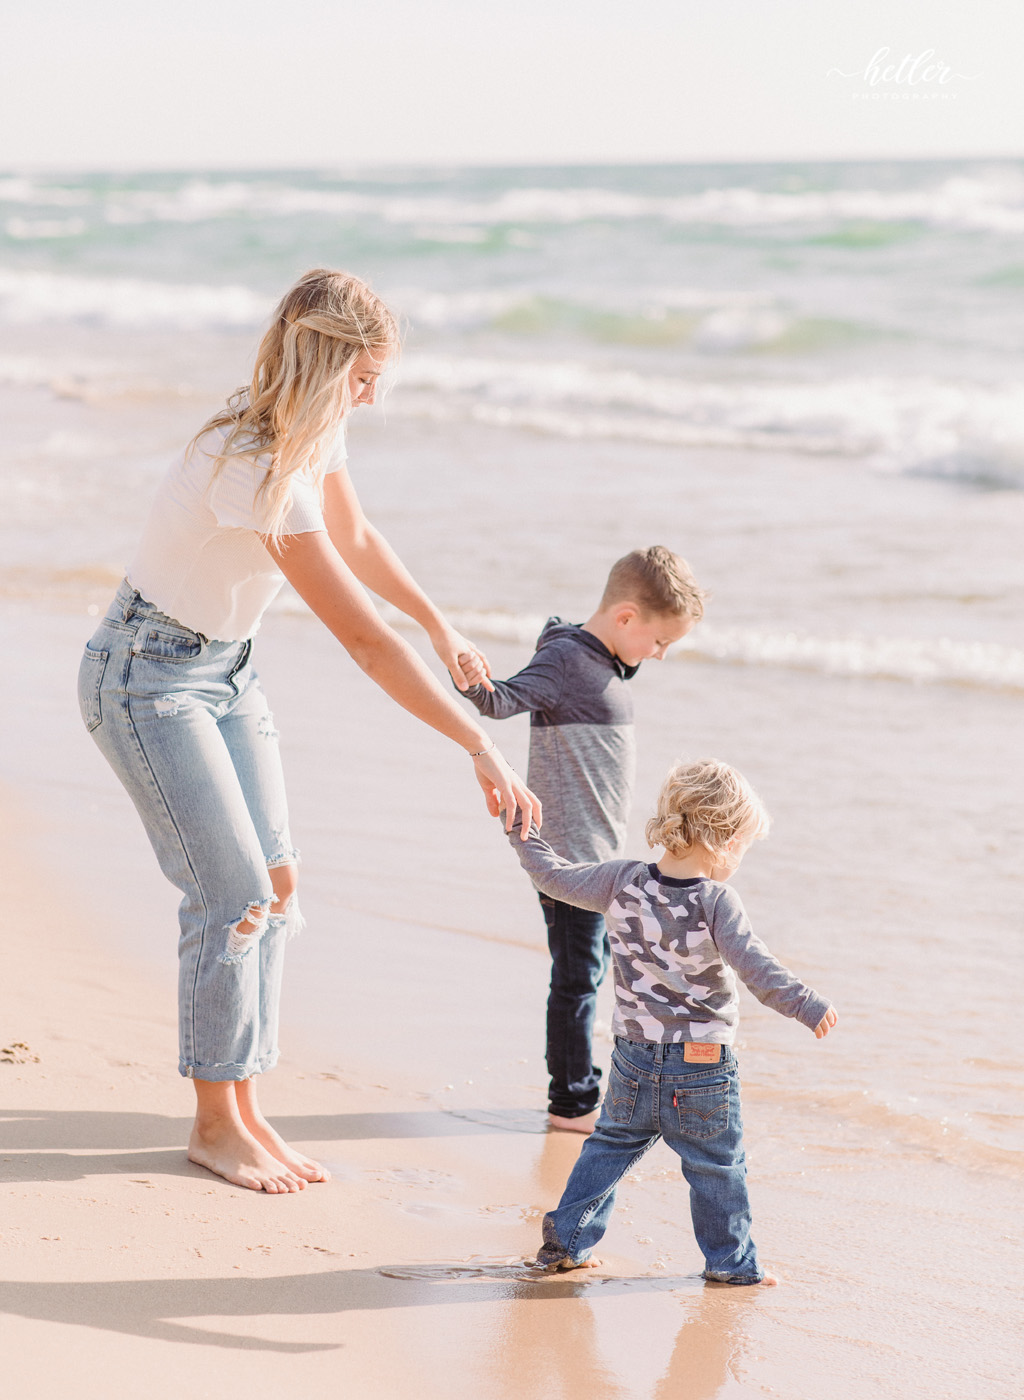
point(300, 383)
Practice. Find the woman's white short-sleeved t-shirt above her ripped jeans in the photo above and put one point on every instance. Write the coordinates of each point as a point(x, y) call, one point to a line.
point(201, 559)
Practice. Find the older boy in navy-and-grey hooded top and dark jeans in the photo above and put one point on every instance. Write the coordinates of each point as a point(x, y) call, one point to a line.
point(582, 759)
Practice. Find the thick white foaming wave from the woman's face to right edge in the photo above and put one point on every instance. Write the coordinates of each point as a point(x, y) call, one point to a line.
point(922, 426)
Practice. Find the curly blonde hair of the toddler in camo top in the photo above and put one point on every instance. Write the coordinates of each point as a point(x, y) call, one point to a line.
point(705, 804)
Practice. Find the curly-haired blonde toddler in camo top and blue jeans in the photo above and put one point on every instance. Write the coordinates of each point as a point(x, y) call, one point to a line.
point(679, 937)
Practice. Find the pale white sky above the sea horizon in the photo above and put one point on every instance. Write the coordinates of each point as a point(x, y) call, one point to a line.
point(312, 83)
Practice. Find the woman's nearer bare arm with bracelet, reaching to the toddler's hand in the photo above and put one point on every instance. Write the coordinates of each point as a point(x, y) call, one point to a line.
point(321, 577)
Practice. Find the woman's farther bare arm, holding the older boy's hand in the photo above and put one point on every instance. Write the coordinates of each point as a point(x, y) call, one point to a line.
point(376, 565)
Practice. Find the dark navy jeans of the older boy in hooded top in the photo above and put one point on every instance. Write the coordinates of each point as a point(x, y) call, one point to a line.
point(578, 940)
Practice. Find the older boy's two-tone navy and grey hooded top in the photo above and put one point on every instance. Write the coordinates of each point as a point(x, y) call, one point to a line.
point(582, 747)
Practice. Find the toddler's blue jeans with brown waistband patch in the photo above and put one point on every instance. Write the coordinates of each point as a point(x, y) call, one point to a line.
point(655, 1093)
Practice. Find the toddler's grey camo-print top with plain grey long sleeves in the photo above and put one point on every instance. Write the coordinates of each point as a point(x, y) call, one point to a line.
point(677, 948)
